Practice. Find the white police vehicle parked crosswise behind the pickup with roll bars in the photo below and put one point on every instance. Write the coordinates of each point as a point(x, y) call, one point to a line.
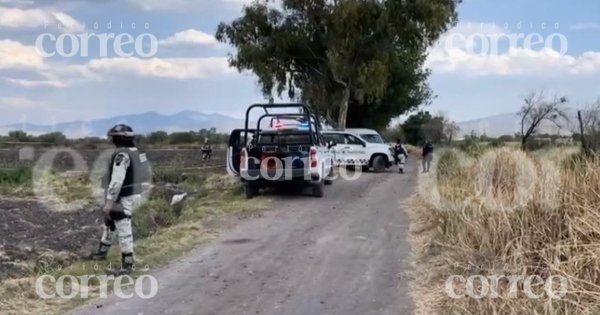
point(360, 147)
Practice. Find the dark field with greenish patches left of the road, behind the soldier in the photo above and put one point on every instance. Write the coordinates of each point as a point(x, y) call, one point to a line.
point(35, 234)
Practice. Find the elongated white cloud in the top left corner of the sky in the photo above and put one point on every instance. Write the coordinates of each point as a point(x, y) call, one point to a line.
point(33, 18)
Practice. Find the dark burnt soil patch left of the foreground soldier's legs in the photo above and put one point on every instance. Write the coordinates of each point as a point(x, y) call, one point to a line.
point(30, 234)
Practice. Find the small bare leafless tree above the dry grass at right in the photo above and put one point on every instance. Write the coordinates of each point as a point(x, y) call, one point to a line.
point(538, 109)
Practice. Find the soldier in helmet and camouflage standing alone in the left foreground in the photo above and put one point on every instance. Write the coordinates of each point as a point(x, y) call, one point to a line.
point(128, 177)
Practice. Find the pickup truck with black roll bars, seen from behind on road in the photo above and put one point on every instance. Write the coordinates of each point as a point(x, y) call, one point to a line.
point(284, 147)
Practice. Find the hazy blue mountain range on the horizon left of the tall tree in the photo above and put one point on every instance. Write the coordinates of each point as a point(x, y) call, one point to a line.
point(141, 123)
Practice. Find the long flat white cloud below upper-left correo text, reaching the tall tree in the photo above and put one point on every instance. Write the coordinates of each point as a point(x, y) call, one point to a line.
point(173, 68)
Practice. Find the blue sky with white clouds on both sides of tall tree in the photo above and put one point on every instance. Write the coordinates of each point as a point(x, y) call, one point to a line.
point(189, 70)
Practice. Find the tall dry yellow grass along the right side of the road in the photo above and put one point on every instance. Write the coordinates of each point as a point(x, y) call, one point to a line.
point(507, 213)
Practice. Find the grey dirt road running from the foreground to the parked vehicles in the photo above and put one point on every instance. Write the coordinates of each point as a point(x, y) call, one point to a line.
point(343, 254)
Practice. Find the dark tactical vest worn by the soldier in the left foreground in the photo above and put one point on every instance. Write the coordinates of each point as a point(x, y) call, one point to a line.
point(138, 175)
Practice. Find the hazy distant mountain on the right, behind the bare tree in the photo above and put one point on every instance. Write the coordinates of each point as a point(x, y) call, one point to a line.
point(509, 124)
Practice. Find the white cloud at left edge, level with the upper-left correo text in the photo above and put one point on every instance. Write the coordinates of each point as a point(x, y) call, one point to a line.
point(16, 55)
